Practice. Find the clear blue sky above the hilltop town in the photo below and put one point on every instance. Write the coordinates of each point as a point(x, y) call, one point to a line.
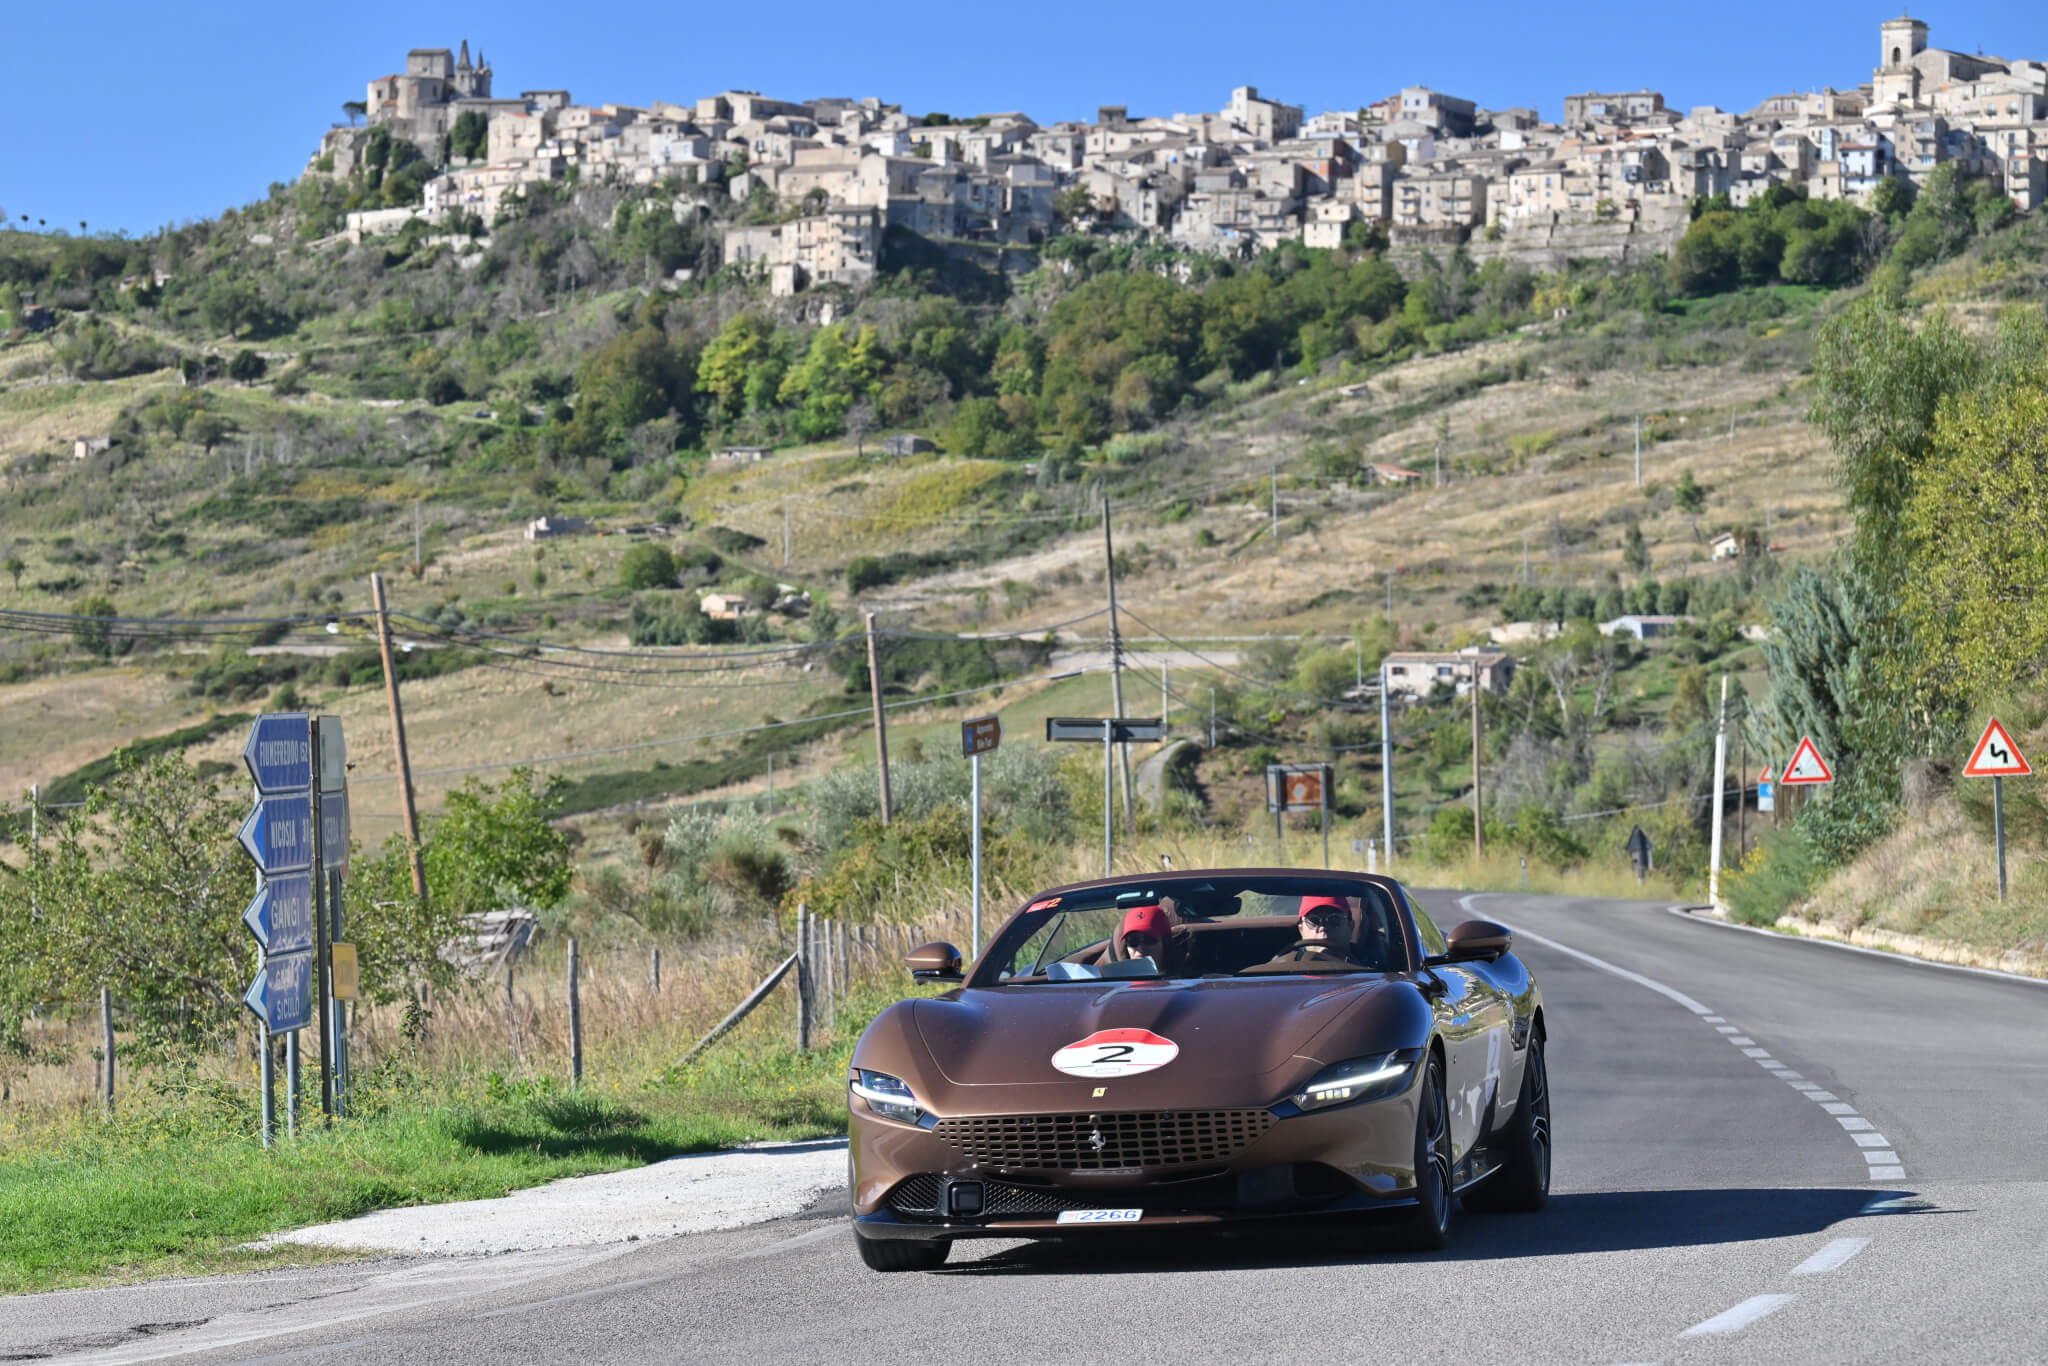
point(132, 114)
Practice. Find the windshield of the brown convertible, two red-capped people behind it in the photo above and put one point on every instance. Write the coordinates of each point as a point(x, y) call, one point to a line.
point(1201, 927)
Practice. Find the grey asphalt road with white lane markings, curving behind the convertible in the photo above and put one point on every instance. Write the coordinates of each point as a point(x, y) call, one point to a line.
point(1766, 1152)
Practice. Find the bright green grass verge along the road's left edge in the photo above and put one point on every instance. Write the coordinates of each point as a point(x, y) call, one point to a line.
point(177, 1183)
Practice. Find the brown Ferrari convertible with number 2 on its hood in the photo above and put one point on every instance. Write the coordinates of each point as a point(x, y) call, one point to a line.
point(1201, 1050)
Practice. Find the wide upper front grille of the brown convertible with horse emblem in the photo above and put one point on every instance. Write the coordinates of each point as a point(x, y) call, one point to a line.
point(1105, 1142)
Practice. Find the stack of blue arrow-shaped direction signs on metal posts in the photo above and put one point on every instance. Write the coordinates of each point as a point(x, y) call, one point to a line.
point(280, 839)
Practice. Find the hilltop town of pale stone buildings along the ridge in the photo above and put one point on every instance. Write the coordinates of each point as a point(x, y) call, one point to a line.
point(1615, 177)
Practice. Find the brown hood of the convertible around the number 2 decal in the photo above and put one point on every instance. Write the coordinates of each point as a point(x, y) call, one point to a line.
point(1238, 1041)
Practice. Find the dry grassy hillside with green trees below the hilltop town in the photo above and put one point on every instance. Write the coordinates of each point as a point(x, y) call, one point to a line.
point(415, 398)
